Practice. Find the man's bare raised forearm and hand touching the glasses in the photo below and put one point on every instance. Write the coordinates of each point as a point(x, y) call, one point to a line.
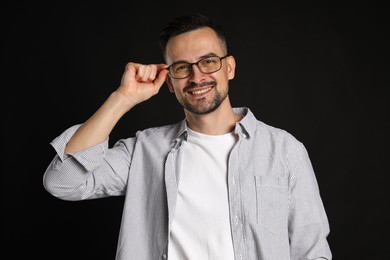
point(139, 83)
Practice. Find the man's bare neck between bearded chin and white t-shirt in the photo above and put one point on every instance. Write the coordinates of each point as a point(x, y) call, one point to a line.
point(219, 122)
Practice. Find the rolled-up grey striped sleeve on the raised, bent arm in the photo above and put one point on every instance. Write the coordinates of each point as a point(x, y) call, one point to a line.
point(91, 173)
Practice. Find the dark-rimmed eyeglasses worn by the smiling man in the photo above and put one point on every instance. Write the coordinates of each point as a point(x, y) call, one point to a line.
point(181, 70)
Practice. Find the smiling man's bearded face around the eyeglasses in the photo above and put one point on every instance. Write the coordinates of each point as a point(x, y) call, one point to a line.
point(199, 93)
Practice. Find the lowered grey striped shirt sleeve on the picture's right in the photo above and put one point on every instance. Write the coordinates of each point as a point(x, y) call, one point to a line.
point(308, 223)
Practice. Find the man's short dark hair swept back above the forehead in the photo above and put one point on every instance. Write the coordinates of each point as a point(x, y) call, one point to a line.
point(189, 22)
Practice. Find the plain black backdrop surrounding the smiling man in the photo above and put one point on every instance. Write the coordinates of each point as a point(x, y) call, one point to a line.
point(320, 71)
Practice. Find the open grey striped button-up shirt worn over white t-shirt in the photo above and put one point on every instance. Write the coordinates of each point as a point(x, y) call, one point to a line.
point(276, 211)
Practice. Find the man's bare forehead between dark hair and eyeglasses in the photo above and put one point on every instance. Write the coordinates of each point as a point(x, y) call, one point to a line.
point(191, 45)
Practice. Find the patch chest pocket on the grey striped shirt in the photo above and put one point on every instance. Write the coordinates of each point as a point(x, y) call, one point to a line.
point(272, 202)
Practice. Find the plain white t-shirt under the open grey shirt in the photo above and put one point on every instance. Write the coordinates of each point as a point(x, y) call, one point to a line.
point(201, 225)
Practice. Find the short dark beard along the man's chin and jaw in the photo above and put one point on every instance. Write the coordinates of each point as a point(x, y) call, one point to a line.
point(205, 107)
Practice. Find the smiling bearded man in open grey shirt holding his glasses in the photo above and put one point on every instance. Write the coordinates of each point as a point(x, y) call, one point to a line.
point(218, 185)
